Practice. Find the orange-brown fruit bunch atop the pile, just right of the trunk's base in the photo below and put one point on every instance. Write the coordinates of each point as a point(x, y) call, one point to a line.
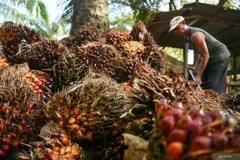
point(115, 37)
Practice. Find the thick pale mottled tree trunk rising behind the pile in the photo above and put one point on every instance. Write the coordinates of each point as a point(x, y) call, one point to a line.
point(90, 12)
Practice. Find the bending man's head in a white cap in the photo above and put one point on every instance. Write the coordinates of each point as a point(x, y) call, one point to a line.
point(177, 24)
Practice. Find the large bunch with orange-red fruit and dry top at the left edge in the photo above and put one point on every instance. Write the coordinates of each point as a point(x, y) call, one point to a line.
point(22, 110)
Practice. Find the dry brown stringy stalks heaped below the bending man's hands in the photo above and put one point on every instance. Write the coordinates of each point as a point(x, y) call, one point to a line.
point(151, 85)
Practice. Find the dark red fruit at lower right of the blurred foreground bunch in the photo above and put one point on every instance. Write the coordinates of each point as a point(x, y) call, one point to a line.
point(219, 141)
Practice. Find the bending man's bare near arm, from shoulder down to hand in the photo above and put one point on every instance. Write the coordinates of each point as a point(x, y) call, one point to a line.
point(198, 39)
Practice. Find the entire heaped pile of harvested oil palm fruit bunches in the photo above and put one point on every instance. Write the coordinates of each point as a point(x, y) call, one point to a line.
point(95, 86)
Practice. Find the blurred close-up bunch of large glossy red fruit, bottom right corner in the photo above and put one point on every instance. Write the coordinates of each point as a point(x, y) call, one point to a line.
point(188, 132)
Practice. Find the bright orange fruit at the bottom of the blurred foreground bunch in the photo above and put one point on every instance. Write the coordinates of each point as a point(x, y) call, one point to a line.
point(174, 151)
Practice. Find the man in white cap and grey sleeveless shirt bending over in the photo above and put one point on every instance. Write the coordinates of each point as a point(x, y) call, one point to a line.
point(214, 55)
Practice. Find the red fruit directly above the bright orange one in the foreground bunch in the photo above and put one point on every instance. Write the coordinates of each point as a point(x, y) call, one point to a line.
point(177, 135)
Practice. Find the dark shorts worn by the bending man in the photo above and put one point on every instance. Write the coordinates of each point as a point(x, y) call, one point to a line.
point(214, 76)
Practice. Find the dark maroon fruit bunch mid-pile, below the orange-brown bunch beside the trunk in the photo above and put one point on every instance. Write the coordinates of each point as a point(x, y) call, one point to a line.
point(98, 57)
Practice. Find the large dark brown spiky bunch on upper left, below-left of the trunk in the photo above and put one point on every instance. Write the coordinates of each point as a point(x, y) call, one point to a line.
point(52, 58)
